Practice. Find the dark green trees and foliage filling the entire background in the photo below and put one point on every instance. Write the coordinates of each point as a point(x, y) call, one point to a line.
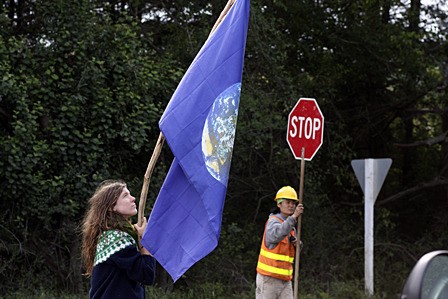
point(85, 82)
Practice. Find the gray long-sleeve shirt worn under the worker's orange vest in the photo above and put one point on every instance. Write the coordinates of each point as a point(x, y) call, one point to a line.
point(277, 231)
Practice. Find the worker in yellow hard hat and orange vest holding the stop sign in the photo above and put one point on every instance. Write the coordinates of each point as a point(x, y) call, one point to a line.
point(276, 259)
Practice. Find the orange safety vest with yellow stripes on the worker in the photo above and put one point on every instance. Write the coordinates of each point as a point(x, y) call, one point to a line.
point(277, 262)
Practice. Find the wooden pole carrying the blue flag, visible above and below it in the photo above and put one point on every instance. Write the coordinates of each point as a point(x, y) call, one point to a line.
point(161, 140)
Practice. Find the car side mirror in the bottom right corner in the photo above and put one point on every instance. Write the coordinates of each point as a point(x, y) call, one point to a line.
point(428, 278)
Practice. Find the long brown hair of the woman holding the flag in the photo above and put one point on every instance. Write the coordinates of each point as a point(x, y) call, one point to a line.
point(100, 217)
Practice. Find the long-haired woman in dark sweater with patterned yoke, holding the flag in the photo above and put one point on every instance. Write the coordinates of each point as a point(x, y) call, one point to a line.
point(110, 245)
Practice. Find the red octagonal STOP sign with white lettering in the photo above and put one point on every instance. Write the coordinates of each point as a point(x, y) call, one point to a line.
point(305, 128)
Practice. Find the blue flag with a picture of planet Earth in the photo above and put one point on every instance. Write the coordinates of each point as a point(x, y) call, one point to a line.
point(199, 126)
